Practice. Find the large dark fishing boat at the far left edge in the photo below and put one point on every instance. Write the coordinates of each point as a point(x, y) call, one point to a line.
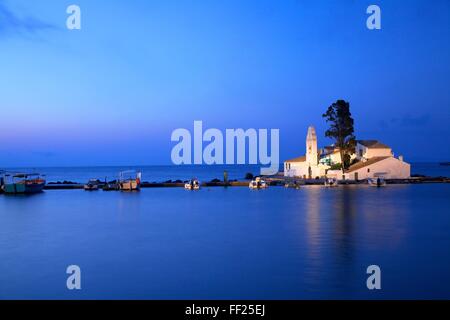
point(23, 183)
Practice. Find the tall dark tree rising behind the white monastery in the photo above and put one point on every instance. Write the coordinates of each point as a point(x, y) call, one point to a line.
point(341, 130)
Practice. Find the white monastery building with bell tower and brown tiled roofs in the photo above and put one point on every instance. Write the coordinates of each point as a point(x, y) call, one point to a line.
point(371, 159)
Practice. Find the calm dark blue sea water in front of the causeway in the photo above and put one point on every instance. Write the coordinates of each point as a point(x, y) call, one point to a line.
point(228, 243)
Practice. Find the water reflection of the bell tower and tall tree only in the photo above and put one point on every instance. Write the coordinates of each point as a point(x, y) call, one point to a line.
point(329, 225)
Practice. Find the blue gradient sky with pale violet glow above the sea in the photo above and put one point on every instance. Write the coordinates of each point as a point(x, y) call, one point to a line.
point(112, 93)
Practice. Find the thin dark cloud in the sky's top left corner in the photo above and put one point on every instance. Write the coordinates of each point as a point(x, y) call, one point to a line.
point(11, 23)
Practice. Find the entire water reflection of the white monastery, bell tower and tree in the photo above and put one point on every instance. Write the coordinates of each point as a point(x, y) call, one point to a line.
point(344, 227)
